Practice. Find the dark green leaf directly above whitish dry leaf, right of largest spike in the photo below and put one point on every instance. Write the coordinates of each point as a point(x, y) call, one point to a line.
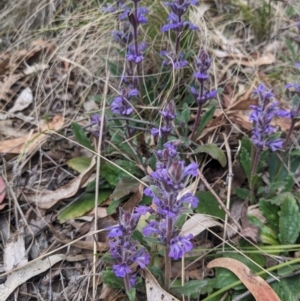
point(209, 205)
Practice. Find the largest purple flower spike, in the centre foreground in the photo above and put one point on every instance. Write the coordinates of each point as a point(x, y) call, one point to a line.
point(166, 184)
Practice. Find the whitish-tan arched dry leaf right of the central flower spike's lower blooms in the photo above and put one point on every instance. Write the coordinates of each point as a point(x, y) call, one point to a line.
point(198, 223)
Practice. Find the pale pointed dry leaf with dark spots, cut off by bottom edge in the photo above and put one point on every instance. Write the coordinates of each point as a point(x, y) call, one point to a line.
point(155, 291)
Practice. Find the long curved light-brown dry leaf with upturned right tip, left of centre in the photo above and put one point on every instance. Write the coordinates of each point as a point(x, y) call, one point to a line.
point(48, 198)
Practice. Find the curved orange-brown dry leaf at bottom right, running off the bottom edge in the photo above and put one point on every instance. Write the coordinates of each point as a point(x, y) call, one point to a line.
point(259, 288)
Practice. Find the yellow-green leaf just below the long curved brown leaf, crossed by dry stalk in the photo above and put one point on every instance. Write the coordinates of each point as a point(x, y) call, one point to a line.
point(81, 206)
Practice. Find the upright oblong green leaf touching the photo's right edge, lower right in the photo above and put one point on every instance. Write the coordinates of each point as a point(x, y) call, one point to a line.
point(289, 221)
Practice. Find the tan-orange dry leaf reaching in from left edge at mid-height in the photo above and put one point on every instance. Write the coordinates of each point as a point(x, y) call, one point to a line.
point(29, 143)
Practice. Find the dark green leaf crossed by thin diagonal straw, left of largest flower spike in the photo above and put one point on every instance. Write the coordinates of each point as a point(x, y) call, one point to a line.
point(113, 174)
